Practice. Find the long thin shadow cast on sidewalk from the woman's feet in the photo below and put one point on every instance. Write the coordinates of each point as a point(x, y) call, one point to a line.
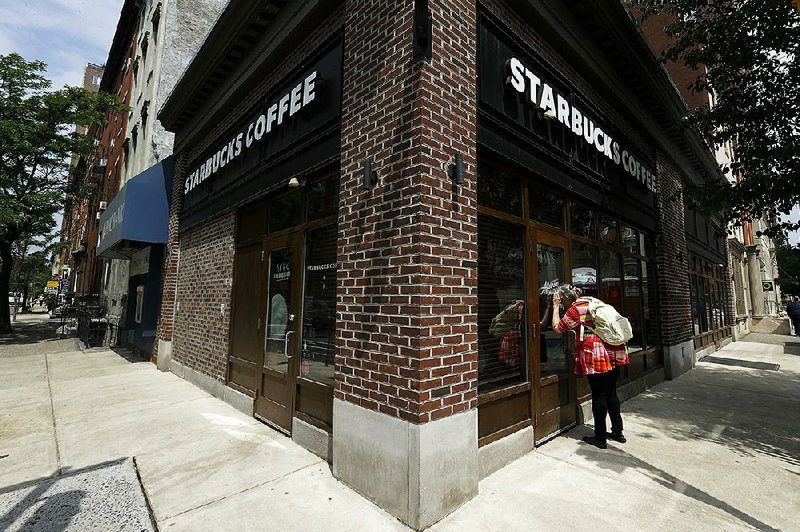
point(617, 460)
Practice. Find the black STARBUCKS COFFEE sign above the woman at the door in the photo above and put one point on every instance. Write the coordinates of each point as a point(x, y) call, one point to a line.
point(518, 86)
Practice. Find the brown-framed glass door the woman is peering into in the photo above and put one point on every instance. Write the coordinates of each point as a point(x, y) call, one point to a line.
point(554, 394)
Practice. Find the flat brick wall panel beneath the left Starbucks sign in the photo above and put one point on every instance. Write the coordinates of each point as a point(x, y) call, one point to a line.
point(203, 303)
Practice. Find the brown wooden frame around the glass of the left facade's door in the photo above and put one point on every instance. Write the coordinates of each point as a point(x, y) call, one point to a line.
point(293, 240)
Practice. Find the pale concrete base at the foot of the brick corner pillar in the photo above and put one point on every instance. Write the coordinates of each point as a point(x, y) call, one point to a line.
point(427, 471)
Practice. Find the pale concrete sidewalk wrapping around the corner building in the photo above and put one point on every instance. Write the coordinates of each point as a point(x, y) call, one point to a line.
point(718, 448)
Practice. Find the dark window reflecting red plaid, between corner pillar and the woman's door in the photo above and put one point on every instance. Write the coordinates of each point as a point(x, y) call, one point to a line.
point(502, 351)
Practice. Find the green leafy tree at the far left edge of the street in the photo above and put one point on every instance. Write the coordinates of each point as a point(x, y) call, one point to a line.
point(37, 137)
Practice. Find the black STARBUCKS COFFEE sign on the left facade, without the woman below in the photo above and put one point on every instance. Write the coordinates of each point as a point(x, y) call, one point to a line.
point(306, 106)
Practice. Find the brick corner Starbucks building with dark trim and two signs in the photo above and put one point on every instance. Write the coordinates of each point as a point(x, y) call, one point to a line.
point(368, 212)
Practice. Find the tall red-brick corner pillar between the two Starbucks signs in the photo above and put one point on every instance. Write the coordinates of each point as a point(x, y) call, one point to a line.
point(406, 298)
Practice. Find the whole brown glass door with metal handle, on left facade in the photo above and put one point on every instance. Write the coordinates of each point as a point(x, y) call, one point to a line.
point(275, 398)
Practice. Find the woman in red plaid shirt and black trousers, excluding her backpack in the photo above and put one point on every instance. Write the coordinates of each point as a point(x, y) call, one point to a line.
point(599, 361)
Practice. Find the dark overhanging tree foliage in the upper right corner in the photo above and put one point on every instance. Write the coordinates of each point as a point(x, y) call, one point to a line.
point(746, 53)
